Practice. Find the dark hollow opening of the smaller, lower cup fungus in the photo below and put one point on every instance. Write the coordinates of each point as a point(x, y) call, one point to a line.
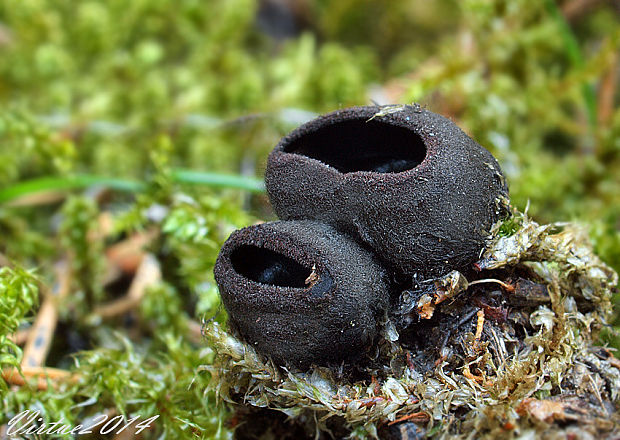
point(269, 267)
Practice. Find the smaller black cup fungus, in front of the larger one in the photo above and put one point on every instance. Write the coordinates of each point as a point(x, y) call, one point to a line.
point(301, 292)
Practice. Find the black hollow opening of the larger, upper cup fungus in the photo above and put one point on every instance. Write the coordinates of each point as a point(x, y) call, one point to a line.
point(362, 145)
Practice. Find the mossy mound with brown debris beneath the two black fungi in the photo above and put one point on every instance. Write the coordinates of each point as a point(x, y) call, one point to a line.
point(509, 354)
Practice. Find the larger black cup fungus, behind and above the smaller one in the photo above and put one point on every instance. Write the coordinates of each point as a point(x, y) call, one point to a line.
point(406, 181)
